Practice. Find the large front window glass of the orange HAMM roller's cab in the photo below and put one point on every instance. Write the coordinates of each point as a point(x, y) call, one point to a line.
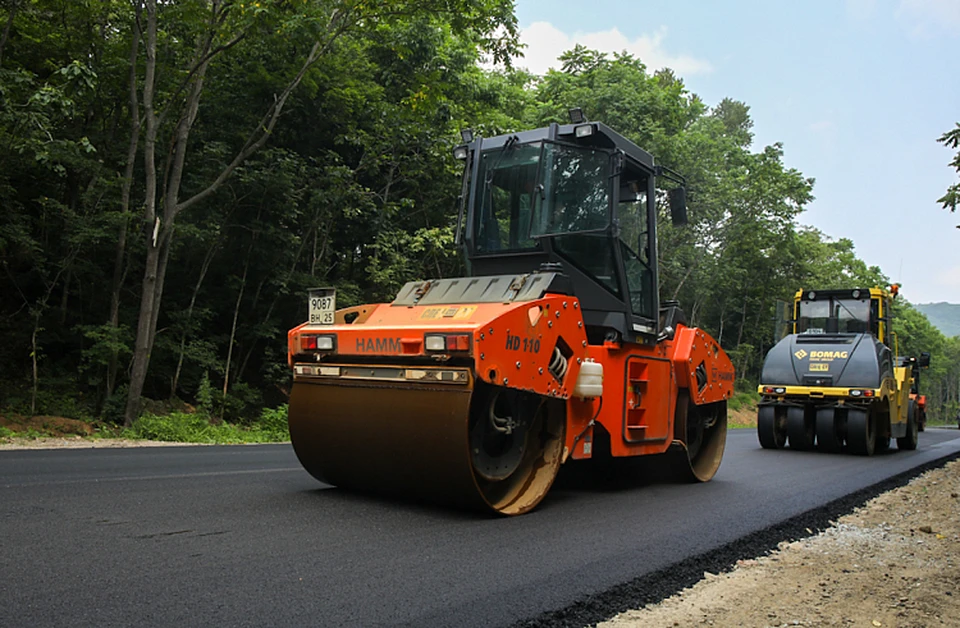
point(539, 189)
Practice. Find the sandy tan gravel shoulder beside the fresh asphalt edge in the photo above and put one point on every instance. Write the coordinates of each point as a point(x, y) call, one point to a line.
point(895, 561)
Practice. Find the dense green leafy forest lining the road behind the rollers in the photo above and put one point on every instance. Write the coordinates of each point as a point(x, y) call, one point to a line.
point(174, 176)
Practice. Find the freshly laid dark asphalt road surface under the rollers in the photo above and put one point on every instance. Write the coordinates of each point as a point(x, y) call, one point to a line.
point(242, 536)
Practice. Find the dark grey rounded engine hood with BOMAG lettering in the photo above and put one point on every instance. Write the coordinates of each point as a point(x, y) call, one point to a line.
point(844, 360)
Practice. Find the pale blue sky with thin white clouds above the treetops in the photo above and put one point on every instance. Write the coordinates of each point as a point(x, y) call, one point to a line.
point(857, 91)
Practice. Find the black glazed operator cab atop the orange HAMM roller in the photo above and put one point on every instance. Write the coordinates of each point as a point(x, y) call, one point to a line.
point(578, 195)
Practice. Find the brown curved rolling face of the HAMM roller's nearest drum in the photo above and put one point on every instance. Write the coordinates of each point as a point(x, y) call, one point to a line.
point(408, 440)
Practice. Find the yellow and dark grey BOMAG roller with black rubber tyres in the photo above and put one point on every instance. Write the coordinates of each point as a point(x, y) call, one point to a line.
point(836, 379)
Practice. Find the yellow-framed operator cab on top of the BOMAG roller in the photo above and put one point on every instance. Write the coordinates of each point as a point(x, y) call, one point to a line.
point(864, 310)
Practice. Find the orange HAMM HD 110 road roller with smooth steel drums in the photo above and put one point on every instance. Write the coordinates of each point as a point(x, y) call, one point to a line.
point(472, 391)
